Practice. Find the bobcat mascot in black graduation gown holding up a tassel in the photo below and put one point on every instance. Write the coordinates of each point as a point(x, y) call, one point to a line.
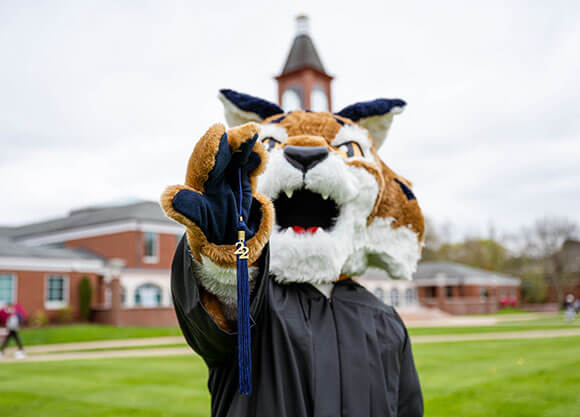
point(281, 210)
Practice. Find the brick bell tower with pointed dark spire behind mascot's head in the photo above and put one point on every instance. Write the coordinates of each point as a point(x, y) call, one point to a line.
point(304, 83)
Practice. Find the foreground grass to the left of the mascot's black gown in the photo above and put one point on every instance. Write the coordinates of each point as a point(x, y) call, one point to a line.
point(136, 387)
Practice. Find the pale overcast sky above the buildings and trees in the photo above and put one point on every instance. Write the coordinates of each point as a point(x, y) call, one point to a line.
point(103, 101)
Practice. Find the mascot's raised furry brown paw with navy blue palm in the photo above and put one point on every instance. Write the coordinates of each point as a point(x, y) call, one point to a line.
point(222, 163)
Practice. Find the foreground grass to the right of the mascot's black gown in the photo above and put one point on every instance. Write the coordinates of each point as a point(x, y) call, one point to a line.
point(501, 378)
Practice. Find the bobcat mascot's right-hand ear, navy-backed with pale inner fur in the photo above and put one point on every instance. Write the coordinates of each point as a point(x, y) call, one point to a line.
point(375, 116)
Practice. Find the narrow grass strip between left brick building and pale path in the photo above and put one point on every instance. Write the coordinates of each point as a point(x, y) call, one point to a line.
point(90, 332)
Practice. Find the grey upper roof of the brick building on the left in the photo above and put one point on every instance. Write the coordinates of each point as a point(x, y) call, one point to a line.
point(149, 211)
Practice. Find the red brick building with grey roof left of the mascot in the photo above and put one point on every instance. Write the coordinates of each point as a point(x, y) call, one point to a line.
point(124, 250)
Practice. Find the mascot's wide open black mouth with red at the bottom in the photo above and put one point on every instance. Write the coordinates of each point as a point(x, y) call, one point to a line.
point(305, 211)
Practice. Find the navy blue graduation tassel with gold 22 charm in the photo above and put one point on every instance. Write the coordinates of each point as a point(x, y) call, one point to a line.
point(244, 335)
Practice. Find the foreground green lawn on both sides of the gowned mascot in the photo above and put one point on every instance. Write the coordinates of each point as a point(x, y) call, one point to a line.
point(470, 379)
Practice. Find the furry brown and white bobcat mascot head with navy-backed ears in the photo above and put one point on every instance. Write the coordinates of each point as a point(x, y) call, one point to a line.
point(338, 207)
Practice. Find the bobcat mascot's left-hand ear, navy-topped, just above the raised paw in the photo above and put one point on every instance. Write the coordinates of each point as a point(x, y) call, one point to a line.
point(241, 108)
